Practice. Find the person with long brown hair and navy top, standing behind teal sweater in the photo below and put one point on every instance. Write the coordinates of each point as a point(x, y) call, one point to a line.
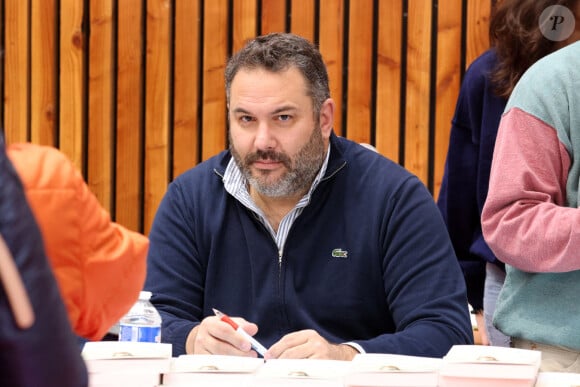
point(517, 41)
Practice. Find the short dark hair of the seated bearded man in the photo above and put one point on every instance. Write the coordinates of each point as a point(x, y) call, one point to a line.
point(278, 52)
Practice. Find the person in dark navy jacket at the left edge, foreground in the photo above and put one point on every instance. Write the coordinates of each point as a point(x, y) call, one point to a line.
point(37, 345)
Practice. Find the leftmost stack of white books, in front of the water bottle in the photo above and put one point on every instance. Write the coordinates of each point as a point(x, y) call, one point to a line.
point(127, 364)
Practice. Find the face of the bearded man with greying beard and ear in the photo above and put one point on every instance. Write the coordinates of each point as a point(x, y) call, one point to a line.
point(274, 137)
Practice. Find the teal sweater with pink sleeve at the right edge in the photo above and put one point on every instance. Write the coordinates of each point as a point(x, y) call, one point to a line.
point(531, 218)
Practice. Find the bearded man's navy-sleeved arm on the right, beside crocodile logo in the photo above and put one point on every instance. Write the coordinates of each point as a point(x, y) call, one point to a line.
point(423, 283)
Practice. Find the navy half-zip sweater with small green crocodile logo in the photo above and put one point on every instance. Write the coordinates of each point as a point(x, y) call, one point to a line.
point(368, 260)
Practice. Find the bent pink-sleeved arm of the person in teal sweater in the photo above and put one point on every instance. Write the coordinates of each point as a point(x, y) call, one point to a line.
point(525, 219)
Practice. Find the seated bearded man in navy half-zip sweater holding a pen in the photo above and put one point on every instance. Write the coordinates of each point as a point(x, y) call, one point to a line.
point(318, 246)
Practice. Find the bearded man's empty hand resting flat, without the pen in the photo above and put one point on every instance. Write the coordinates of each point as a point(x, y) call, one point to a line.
point(309, 344)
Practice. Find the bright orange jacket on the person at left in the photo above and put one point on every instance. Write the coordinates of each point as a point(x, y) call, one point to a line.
point(99, 265)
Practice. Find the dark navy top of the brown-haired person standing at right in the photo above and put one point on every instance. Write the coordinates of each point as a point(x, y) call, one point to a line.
point(466, 178)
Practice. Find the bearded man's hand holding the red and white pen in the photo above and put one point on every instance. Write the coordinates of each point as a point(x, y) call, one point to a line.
point(213, 336)
